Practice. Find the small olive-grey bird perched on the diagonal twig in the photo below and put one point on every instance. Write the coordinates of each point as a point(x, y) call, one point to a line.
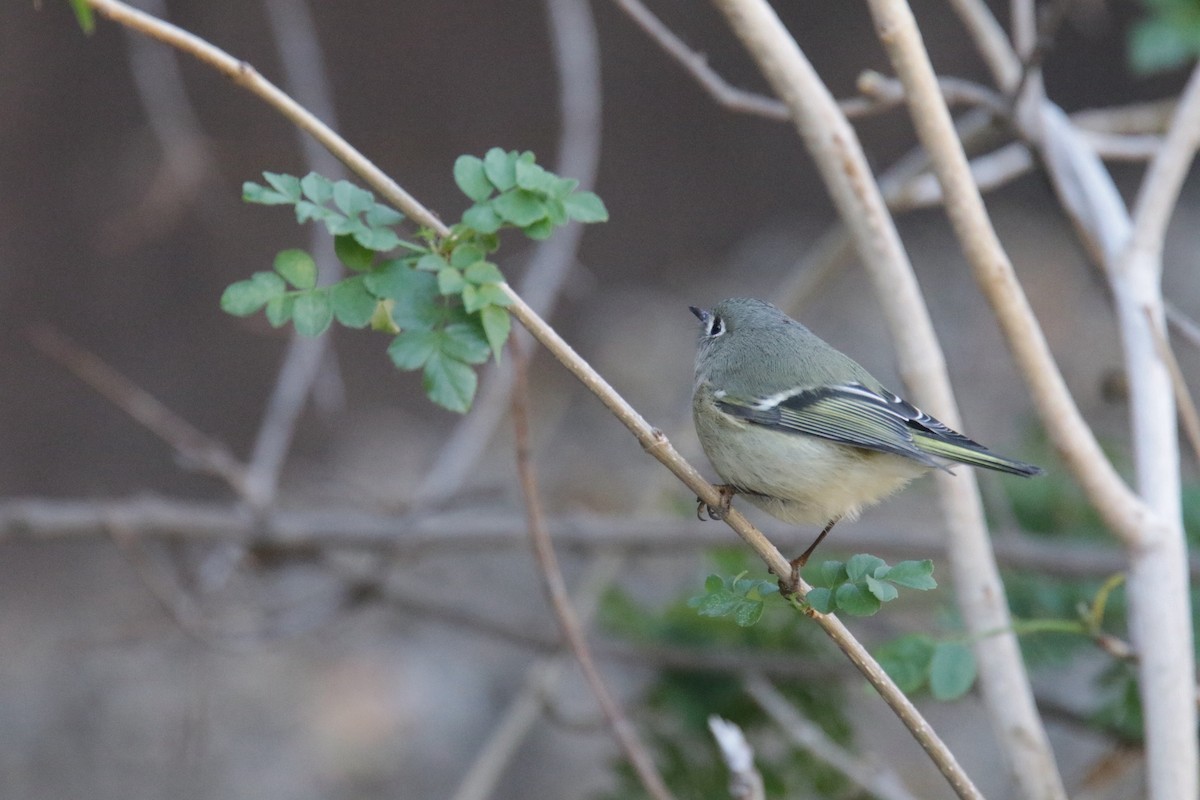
point(805, 432)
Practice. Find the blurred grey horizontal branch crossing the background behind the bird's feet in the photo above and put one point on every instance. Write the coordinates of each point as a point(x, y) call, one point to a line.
point(485, 531)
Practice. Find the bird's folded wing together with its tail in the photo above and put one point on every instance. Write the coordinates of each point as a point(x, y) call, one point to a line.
point(856, 416)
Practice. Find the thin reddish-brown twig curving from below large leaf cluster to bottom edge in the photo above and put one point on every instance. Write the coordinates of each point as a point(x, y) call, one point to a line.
point(560, 599)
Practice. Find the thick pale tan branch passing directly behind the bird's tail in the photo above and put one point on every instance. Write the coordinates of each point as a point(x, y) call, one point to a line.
point(981, 594)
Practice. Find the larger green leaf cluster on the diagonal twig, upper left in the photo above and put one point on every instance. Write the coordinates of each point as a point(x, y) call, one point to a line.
point(442, 298)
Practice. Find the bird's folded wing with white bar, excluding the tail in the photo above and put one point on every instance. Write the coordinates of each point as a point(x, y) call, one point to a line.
point(850, 414)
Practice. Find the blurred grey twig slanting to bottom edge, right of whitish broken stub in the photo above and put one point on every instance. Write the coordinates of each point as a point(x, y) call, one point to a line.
point(873, 778)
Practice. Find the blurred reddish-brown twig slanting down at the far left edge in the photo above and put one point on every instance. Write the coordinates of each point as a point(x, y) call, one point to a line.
point(196, 448)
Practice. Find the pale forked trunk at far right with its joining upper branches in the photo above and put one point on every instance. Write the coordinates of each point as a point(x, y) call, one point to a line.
point(1159, 592)
